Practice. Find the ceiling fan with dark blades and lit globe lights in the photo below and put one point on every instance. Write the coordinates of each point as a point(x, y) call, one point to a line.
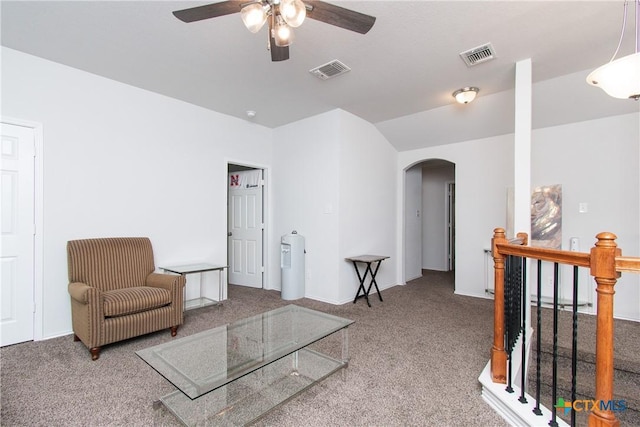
point(282, 16)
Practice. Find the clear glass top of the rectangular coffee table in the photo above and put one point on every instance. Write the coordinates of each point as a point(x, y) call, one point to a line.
point(202, 362)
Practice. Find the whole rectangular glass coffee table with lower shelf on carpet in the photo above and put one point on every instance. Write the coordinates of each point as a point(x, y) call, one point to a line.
point(234, 374)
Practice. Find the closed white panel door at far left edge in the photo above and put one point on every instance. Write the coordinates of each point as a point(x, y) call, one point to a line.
point(17, 220)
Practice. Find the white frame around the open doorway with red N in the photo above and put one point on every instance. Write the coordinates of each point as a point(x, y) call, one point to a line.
point(265, 213)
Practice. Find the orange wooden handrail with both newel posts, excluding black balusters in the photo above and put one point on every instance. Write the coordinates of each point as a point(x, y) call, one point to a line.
point(606, 263)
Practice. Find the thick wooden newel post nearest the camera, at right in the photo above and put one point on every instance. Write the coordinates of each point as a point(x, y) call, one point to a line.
point(603, 269)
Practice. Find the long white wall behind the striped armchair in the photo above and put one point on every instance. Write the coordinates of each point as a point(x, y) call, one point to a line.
point(121, 161)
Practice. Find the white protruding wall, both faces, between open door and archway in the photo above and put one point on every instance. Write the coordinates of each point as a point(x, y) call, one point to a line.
point(334, 181)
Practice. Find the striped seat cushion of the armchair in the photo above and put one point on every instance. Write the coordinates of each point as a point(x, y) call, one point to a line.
point(120, 302)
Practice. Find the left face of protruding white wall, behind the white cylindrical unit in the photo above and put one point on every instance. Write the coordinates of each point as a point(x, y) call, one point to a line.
point(306, 198)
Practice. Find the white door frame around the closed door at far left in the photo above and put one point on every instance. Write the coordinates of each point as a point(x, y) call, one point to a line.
point(38, 247)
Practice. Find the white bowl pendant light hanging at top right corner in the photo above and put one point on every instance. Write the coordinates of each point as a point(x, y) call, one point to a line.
point(620, 78)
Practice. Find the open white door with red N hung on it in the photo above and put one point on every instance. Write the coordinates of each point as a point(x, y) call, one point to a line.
point(245, 228)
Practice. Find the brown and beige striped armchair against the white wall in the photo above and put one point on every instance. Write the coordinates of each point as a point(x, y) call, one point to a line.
point(115, 293)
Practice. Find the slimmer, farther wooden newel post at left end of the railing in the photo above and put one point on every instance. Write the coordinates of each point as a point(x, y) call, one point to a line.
point(498, 353)
